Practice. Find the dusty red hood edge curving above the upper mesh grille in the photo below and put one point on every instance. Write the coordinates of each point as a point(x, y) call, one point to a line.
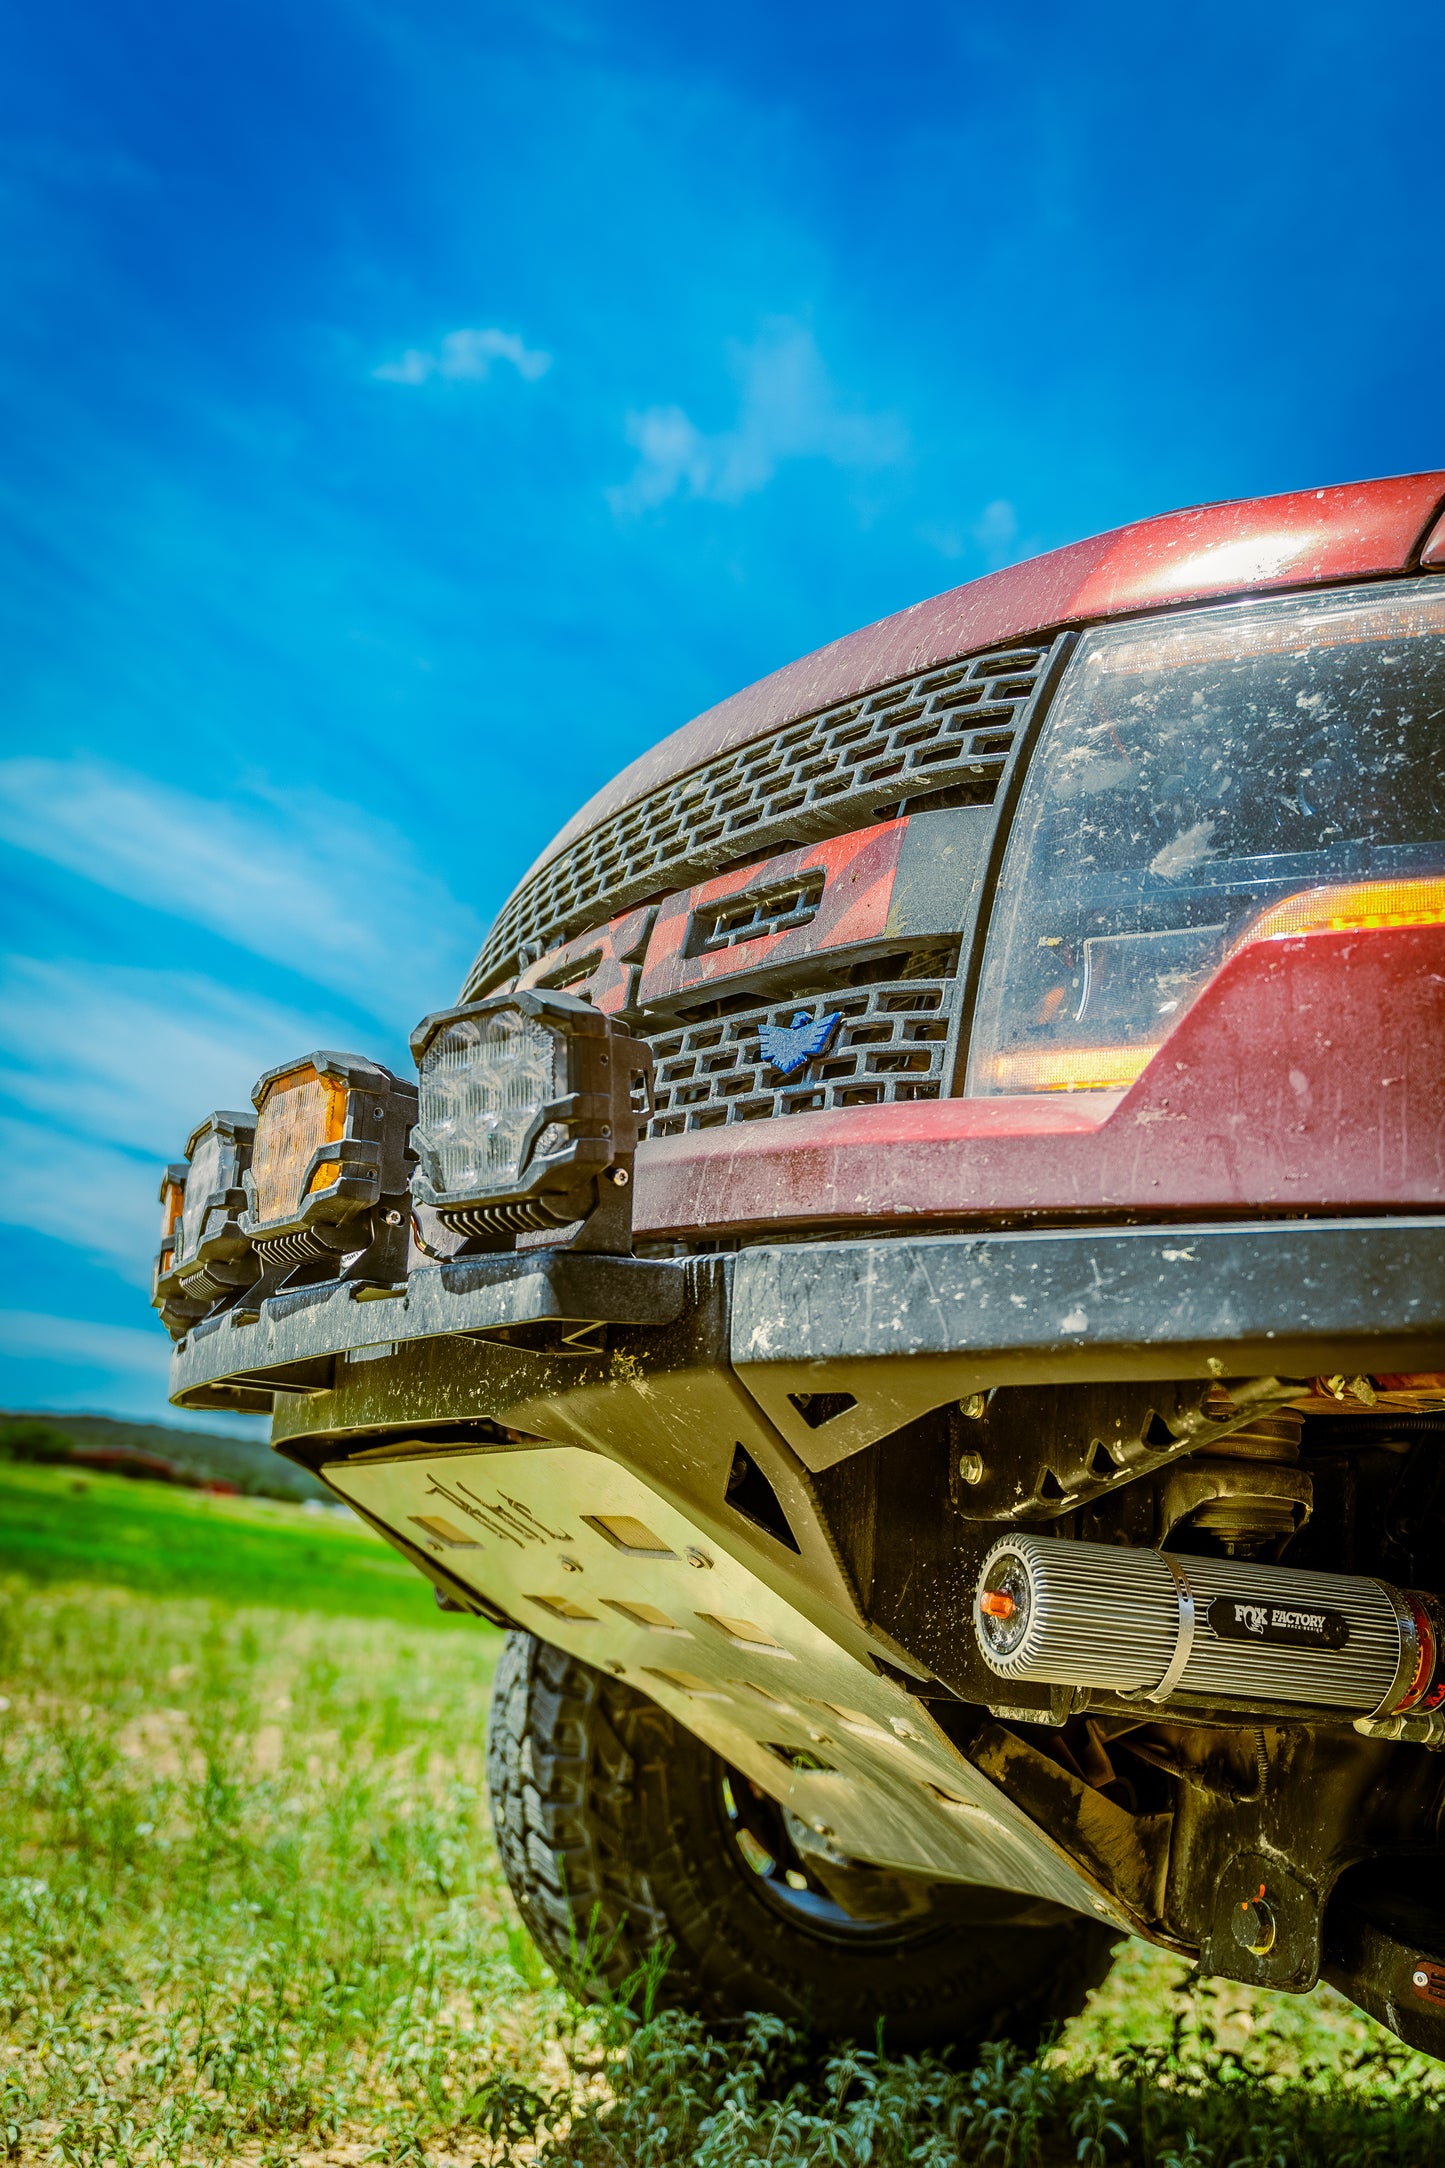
point(1312, 537)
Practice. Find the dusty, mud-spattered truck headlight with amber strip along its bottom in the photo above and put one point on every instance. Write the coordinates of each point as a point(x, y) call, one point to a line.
point(1199, 773)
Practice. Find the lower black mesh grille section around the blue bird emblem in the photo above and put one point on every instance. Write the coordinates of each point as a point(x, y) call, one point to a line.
point(894, 1042)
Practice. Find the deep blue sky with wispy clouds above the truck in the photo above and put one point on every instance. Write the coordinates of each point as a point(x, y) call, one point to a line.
point(413, 413)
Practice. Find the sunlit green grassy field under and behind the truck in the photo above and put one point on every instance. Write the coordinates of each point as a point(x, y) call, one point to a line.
point(250, 1913)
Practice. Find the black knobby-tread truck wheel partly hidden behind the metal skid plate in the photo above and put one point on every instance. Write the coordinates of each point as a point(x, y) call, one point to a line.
point(623, 1835)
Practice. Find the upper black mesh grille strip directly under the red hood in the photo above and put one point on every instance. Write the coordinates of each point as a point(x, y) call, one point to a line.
point(941, 738)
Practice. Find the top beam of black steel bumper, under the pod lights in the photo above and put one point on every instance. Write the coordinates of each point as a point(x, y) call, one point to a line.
point(898, 1326)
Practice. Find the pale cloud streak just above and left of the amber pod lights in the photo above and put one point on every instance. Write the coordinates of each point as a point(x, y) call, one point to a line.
point(140, 1057)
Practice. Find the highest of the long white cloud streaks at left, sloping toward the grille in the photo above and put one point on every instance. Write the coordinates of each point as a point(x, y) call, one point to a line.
point(300, 879)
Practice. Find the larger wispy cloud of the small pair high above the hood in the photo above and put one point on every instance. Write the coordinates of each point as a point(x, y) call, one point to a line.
point(787, 411)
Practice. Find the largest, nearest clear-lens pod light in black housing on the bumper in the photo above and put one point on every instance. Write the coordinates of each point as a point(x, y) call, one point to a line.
point(528, 1115)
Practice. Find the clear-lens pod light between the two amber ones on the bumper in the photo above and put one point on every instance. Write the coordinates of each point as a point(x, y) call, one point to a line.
point(205, 1252)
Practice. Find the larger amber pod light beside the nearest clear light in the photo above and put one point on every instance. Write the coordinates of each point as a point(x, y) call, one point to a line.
point(330, 1167)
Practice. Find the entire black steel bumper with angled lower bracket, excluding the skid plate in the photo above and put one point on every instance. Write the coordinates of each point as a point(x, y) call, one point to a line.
point(744, 1389)
